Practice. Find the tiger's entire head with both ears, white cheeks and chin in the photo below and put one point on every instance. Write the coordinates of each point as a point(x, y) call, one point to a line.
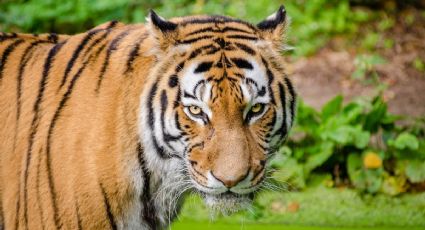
point(217, 104)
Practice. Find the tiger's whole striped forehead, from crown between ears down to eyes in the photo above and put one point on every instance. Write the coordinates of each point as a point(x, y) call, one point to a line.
point(221, 59)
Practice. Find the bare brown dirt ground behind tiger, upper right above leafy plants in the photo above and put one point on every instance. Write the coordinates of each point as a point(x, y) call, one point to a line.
point(320, 77)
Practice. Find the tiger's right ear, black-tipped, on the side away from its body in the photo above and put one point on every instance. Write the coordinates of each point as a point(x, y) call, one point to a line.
point(274, 26)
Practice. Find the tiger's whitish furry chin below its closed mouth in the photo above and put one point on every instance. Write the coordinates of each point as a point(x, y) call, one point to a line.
point(227, 203)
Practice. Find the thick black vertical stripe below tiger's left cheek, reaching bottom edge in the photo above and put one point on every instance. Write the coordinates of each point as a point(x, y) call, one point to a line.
point(148, 213)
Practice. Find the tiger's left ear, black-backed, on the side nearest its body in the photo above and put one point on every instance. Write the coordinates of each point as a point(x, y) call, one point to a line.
point(165, 32)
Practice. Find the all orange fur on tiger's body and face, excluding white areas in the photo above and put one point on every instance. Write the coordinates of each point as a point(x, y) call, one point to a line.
point(69, 139)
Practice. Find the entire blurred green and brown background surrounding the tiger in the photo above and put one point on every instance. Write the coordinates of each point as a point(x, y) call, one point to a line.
point(356, 157)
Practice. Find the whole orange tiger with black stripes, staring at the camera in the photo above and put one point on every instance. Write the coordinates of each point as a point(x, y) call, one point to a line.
point(113, 128)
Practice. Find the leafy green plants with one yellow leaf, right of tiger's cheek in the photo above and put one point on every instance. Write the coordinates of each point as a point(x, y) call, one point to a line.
point(359, 142)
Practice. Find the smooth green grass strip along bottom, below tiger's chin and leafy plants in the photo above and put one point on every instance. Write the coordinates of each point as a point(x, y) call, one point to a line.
point(314, 208)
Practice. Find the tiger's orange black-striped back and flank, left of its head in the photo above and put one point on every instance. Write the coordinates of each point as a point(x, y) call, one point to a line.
point(44, 172)
